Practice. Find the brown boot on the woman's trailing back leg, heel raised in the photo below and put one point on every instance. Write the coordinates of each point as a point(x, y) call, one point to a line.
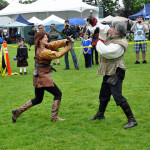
point(16, 112)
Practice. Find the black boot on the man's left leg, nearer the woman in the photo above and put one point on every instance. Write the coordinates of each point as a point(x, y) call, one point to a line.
point(100, 113)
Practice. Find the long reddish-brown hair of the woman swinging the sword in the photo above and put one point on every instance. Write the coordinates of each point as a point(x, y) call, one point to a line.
point(39, 36)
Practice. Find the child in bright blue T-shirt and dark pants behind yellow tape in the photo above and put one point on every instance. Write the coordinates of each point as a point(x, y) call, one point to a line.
point(87, 51)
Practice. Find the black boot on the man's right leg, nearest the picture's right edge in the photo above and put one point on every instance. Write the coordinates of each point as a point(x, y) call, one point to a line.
point(131, 120)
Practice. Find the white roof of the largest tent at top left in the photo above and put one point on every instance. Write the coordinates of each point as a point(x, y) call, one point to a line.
point(46, 6)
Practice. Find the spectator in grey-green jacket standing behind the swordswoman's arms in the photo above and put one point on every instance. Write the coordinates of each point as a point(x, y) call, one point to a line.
point(54, 37)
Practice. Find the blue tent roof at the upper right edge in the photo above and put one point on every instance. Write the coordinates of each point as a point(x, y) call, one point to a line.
point(140, 13)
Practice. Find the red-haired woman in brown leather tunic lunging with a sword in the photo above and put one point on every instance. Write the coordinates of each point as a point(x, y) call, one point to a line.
point(42, 80)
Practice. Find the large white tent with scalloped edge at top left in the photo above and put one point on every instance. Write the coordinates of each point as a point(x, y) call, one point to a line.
point(43, 8)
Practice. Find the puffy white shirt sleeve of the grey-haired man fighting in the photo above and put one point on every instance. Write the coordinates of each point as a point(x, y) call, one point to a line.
point(110, 51)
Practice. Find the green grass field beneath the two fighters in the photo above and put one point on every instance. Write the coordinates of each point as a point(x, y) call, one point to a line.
point(34, 130)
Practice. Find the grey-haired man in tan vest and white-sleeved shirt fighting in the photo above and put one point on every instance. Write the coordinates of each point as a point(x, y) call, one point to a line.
point(111, 64)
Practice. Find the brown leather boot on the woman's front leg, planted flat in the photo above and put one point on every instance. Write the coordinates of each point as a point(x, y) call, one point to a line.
point(55, 108)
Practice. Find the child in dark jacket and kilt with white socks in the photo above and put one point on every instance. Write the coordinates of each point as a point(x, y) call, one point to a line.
point(22, 56)
